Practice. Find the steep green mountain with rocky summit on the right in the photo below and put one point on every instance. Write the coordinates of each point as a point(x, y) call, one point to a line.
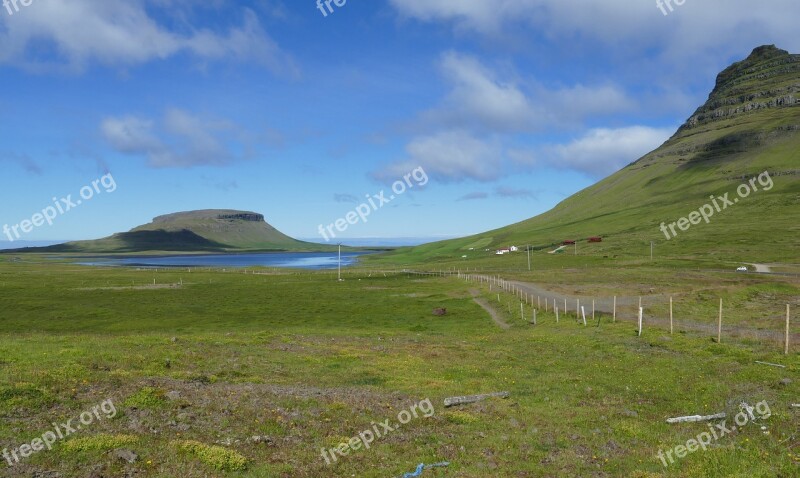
point(750, 124)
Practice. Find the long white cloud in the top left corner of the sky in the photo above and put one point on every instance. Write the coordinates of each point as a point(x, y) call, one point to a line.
point(72, 34)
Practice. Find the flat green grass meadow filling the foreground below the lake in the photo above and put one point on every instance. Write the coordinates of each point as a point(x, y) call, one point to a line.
point(310, 362)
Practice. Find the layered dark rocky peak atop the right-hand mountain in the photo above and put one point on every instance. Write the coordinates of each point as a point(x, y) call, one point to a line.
point(768, 78)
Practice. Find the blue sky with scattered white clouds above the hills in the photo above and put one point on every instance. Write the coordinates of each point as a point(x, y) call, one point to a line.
point(488, 112)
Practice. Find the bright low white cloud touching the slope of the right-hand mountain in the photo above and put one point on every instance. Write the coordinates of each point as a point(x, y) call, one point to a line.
point(603, 151)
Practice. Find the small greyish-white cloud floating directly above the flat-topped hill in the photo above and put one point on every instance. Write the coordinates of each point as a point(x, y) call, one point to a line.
point(179, 139)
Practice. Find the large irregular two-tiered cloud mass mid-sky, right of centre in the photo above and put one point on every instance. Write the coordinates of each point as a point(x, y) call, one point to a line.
point(476, 125)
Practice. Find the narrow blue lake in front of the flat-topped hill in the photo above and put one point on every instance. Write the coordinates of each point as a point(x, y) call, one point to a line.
point(297, 260)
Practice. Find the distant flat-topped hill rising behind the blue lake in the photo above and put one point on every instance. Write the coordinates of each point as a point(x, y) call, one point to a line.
point(211, 230)
